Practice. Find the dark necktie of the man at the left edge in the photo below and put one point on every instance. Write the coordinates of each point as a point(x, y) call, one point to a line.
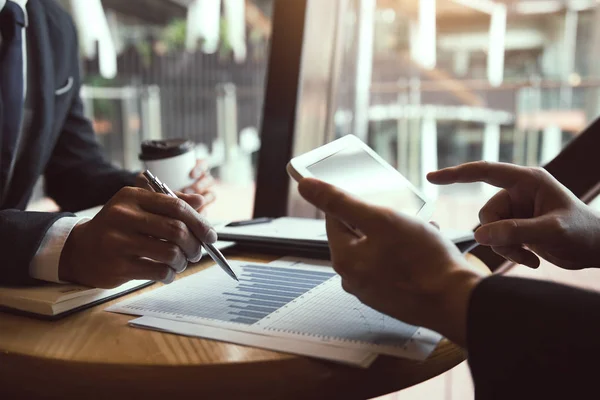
point(12, 21)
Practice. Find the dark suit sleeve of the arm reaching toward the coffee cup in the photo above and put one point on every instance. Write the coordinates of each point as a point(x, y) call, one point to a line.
point(78, 176)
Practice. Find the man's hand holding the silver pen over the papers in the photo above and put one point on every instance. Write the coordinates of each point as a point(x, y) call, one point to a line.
point(137, 235)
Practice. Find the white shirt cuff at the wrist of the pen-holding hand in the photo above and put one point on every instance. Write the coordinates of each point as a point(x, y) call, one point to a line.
point(44, 265)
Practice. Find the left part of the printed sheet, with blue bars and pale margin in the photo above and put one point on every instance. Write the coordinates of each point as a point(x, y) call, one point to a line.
point(212, 295)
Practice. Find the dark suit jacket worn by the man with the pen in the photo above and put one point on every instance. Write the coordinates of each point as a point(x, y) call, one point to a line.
point(61, 145)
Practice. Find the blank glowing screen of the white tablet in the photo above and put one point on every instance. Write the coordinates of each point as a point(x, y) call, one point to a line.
point(355, 171)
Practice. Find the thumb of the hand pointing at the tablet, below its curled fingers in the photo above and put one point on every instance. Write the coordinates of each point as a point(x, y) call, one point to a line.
point(510, 232)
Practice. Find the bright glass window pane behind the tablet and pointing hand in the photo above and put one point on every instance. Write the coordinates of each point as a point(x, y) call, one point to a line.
point(450, 84)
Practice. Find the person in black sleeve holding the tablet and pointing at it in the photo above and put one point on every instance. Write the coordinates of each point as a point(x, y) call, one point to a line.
point(525, 338)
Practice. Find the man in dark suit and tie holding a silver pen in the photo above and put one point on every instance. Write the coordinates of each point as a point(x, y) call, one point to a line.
point(137, 235)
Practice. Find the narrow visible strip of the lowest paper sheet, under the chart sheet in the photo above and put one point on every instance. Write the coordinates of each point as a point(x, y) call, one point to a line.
point(337, 354)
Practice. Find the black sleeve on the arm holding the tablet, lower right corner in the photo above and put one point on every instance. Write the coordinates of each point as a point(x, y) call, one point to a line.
point(532, 339)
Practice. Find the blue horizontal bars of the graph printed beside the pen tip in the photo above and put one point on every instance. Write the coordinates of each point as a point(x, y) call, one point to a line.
point(263, 290)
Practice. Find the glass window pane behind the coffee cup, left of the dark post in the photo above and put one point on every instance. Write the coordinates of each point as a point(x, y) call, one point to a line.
point(195, 73)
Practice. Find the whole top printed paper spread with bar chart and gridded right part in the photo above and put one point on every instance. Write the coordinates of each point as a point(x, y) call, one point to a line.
point(303, 302)
